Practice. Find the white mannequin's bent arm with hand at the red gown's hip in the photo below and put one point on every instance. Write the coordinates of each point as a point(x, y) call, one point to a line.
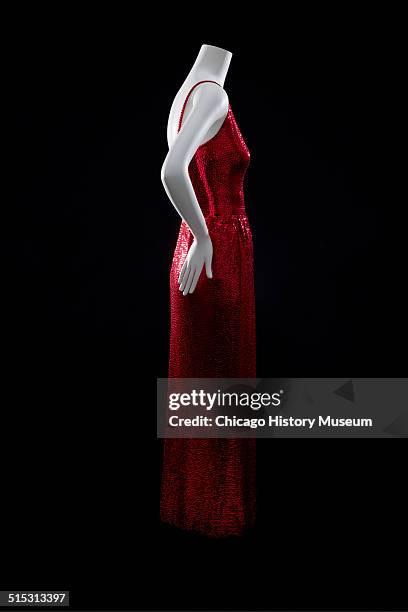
point(210, 104)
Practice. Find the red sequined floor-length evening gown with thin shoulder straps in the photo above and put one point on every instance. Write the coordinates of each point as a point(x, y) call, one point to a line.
point(208, 485)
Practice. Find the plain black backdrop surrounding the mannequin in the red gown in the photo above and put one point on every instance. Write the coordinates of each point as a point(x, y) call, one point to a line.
point(87, 242)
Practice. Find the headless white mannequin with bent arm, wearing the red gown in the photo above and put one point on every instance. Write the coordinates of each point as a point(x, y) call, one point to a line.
point(204, 114)
